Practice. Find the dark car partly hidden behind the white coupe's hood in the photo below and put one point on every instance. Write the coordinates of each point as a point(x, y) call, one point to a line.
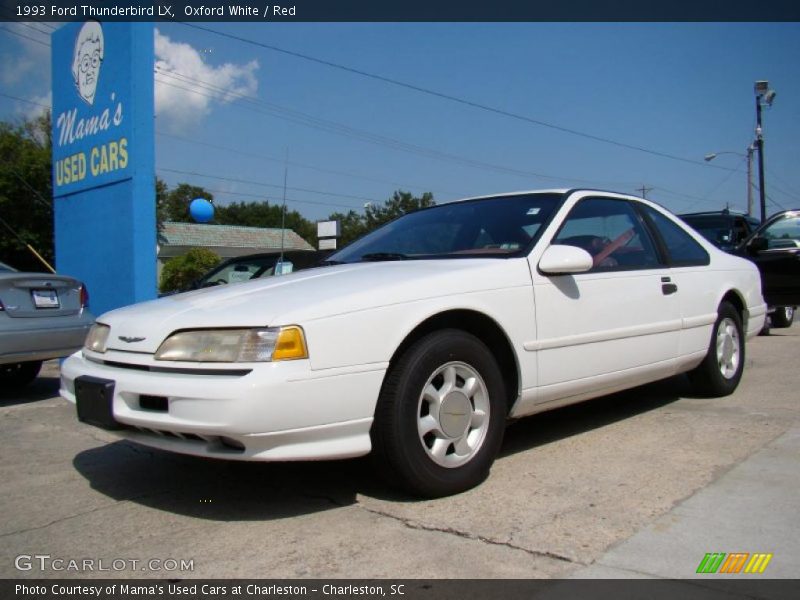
point(256, 266)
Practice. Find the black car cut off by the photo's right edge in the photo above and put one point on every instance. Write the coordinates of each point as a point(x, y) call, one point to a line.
point(775, 248)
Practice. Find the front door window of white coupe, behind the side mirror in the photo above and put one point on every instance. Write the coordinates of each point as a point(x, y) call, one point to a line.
point(609, 230)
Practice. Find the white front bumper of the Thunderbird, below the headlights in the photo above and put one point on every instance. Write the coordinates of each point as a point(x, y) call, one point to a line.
point(263, 411)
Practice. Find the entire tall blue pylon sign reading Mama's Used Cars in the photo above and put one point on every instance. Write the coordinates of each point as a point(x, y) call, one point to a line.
point(103, 159)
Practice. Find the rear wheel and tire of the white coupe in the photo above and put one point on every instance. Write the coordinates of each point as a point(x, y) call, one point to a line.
point(719, 373)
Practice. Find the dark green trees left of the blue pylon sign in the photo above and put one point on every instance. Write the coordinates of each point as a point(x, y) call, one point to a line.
point(26, 192)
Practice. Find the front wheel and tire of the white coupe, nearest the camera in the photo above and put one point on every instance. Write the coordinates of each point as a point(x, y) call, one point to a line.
point(441, 415)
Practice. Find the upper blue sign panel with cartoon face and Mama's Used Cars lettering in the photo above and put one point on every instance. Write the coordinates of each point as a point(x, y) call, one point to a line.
point(91, 134)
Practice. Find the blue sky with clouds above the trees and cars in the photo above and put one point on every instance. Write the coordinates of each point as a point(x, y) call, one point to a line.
point(679, 89)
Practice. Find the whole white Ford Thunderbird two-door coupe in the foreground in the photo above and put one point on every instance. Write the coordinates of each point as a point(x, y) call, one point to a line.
point(424, 337)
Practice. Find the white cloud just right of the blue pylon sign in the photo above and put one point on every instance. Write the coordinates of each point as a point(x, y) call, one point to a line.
point(186, 86)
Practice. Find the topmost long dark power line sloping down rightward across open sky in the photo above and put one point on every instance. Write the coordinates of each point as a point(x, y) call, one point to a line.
point(453, 98)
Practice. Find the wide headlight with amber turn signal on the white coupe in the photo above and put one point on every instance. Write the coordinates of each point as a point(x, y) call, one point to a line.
point(235, 345)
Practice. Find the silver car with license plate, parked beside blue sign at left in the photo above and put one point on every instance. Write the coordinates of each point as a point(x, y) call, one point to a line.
point(42, 316)
